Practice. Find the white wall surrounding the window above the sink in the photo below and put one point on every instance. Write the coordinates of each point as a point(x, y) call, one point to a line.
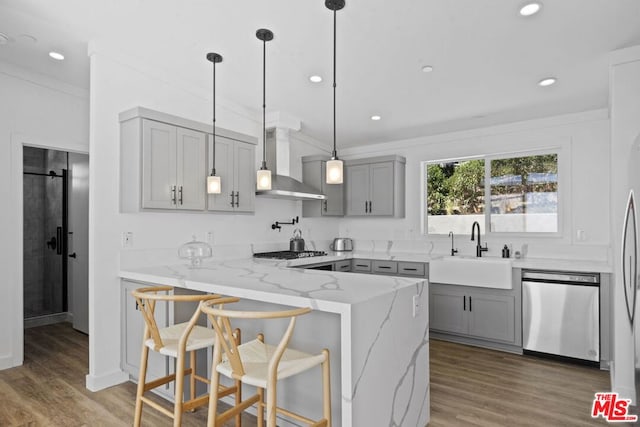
point(583, 144)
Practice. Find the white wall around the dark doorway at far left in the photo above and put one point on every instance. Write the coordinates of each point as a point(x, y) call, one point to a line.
point(38, 111)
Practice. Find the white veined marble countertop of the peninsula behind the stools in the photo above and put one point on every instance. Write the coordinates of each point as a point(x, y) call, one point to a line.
point(273, 281)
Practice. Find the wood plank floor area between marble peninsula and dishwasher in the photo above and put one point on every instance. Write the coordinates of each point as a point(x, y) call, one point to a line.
point(478, 387)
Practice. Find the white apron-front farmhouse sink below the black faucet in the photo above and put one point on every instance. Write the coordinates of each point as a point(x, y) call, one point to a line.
point(484, 272)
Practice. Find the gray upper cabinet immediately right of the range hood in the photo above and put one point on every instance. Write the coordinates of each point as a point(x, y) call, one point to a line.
point(314, 174)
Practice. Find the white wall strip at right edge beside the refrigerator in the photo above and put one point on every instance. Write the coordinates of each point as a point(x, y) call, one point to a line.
point(625, 161)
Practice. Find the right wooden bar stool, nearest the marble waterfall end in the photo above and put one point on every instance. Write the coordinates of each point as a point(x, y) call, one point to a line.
point(260, 365)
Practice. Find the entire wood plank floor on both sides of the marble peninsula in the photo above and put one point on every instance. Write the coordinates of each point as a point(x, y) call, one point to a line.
point(469, 387)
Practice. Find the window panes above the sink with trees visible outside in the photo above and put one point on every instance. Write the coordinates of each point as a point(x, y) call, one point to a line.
point(521, 195)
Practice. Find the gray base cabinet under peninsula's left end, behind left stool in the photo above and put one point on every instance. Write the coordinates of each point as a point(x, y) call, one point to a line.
point(132, 327)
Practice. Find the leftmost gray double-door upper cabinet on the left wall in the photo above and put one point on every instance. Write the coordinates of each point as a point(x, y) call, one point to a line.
point(173, 167)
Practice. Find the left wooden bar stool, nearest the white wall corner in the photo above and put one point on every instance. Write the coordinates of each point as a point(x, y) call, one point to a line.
point(175, 341)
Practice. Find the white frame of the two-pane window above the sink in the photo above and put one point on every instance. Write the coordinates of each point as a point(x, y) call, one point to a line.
point(562, 171)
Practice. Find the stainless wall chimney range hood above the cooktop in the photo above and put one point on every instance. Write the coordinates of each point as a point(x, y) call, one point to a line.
point(282, 185)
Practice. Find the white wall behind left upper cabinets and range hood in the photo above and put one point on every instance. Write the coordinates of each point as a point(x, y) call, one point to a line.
point(118, 84)
